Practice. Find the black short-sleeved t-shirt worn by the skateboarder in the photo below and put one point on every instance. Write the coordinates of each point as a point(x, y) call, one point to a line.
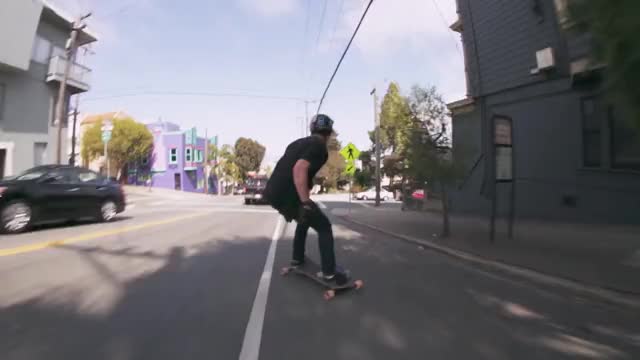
point(281, 188)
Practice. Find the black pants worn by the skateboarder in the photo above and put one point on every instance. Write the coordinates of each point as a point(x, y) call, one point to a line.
point(319, 222)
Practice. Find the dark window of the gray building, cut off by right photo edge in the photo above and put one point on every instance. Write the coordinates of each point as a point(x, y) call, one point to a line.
point(625, 142)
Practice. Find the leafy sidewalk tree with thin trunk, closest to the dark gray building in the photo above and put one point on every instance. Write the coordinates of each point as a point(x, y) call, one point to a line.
point(429, 158)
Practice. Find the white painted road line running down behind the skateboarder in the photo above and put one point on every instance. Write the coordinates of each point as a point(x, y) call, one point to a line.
point(253, 333)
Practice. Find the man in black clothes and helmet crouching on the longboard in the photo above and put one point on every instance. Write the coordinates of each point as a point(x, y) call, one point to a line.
point(288, 191)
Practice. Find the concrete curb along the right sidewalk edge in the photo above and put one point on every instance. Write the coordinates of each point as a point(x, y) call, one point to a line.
point(605, 295)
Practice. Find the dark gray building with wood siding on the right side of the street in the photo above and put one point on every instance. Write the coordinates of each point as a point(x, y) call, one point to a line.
point(531, 84)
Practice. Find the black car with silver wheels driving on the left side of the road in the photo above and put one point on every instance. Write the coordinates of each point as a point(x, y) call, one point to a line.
point(53, 193)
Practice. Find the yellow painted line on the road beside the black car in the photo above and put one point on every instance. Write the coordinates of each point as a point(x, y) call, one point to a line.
point(93, 235)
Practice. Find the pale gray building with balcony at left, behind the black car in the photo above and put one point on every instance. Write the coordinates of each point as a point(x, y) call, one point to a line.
point(33, 36)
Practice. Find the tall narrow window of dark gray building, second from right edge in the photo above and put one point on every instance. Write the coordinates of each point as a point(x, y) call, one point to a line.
point(591, 132)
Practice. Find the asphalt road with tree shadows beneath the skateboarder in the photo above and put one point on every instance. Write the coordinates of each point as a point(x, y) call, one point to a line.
point(185, 278)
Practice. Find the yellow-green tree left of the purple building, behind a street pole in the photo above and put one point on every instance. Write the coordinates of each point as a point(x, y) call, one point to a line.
point(130, 142)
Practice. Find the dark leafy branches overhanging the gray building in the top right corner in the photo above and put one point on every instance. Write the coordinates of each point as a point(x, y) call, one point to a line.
point(614, 26)
